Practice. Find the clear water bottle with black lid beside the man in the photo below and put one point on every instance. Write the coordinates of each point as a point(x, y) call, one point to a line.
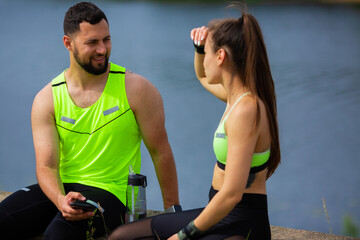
point(135, 196)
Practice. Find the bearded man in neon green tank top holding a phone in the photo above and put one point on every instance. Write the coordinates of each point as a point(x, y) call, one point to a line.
point(87, 125)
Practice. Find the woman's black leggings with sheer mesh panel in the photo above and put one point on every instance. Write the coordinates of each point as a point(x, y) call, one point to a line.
point(248, 220)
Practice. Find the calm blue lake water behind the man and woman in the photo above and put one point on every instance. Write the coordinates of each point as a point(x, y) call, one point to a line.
point(315, 59)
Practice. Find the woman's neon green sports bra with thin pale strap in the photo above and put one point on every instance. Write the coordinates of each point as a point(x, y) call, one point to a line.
point(220, 143)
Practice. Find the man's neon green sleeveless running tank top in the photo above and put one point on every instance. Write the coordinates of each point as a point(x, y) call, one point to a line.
point(98, 143)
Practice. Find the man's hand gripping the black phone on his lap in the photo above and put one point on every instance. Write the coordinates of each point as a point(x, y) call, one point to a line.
point(72, 214)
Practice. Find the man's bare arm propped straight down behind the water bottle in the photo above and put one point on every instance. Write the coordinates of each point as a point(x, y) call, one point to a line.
point(146, 102)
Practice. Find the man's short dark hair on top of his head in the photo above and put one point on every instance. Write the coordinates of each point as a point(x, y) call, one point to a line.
point(82, 12)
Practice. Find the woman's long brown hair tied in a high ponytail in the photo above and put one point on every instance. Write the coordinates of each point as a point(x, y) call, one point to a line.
point(243, 41)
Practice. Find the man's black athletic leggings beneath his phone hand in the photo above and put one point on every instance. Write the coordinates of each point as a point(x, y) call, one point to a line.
point(29, 212)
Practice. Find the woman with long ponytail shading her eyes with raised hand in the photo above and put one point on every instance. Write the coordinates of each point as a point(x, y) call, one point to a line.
point(231, 63)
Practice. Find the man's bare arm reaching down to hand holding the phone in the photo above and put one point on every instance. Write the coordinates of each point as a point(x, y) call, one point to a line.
point(46, 144)
